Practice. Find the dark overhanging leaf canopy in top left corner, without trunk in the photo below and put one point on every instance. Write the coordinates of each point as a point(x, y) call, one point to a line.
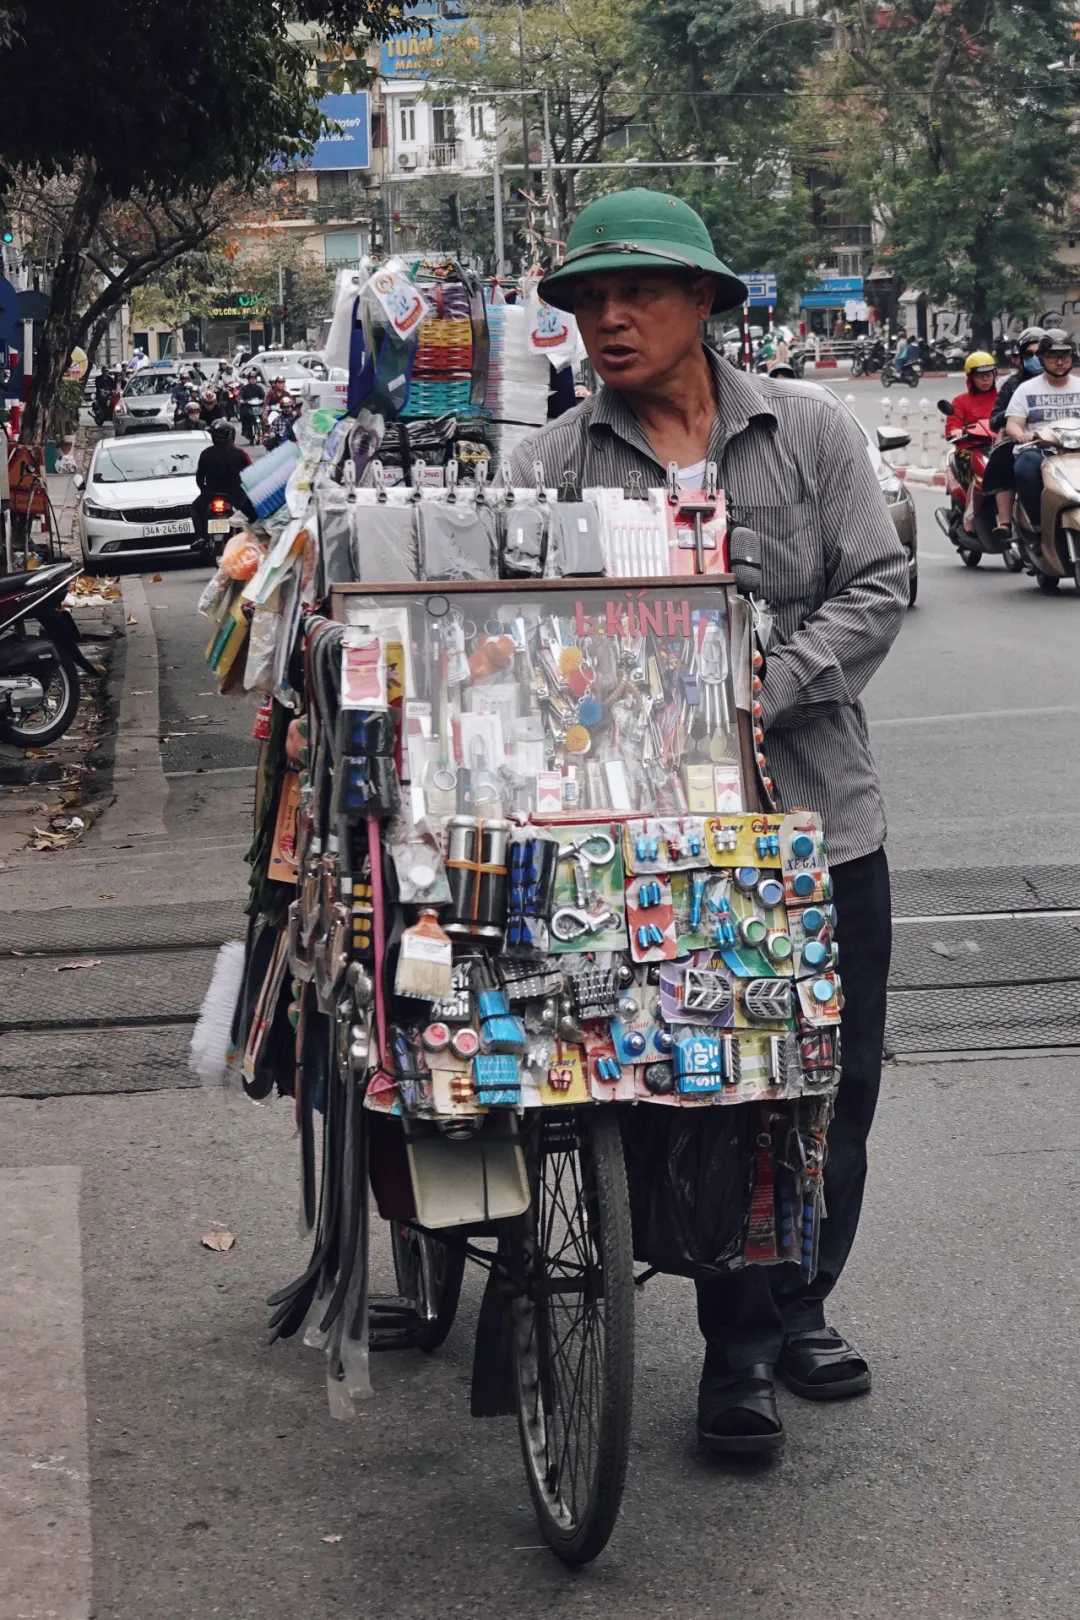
point(166, 93)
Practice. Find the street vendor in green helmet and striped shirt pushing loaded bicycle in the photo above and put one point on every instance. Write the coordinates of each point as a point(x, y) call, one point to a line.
point(642, 278)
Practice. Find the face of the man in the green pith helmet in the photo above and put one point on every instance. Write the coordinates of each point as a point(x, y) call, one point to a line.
point(640, 325)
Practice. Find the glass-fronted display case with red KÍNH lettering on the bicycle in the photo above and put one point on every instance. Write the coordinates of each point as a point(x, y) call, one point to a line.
point(555, 699)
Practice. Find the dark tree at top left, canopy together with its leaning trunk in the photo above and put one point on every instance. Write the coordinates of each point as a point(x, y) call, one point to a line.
point(231, 101)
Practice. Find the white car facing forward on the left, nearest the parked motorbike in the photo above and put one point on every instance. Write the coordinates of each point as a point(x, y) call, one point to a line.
point(137, 500)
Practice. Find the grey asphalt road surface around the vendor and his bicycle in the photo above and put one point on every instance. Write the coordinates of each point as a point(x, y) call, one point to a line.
point(161, 1464)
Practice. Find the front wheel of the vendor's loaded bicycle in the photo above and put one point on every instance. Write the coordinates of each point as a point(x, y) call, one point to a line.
point(576, 1456)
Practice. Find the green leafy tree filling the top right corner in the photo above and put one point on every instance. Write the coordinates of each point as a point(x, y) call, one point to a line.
point(955, 132)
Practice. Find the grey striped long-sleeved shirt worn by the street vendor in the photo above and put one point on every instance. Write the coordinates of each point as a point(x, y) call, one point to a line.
point(796, 471)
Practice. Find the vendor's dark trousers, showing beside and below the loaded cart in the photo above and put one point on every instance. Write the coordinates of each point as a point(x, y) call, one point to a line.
point(747, 1315)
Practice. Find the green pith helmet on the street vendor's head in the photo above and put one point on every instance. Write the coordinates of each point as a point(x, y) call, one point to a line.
point(640, 231)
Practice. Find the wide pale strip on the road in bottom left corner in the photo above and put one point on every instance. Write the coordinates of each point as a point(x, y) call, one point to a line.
point(45, 1464)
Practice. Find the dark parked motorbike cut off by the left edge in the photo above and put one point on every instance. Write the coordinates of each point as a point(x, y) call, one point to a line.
point(40, 675)
